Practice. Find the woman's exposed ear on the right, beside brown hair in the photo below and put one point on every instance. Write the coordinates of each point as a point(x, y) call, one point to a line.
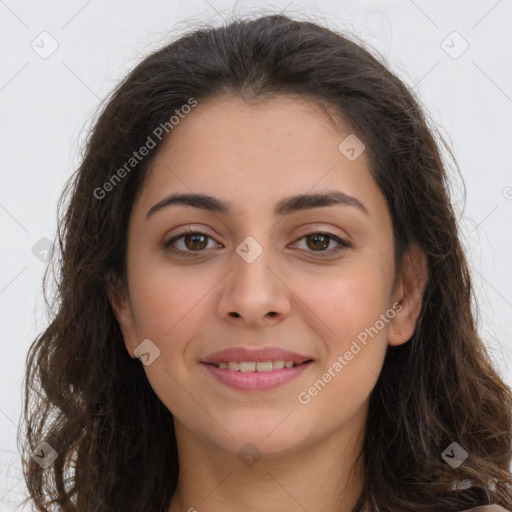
point(409, 294)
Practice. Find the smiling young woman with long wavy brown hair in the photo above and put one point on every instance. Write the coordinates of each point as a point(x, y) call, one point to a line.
point(263, 300)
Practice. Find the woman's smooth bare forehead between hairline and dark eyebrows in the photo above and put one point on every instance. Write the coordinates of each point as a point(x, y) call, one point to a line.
point(258, 151)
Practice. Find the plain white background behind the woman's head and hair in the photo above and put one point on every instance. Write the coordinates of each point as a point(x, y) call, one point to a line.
point(48, 104)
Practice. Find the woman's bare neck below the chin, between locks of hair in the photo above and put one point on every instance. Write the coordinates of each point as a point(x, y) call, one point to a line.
point(316, 478)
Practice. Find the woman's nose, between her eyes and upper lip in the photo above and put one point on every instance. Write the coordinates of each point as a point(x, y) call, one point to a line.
point(254, 292)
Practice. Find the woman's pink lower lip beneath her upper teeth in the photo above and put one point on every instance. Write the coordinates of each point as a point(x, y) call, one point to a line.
point(256, 381)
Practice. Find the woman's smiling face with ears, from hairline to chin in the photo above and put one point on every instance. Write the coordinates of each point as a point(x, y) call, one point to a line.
point(313, 279)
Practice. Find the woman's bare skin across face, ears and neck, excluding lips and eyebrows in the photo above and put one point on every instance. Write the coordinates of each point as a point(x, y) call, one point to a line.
point(253, 156)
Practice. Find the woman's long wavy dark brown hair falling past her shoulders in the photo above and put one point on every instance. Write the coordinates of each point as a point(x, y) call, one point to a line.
point(92, 403)
